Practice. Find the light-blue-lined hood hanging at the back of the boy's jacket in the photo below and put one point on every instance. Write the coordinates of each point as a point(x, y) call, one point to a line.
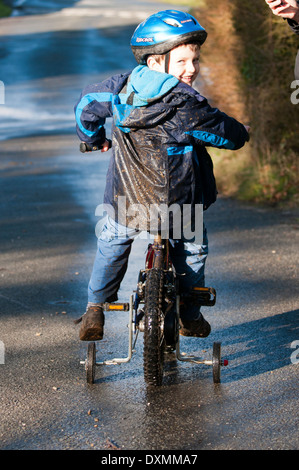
point(144, 87)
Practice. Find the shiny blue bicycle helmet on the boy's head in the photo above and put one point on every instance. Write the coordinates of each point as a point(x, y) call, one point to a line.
point(163, 31)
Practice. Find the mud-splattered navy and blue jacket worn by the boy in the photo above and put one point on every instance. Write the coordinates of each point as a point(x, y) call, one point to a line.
point(161, 128)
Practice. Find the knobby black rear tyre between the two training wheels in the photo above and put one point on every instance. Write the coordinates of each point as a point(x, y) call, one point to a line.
point(153, 341)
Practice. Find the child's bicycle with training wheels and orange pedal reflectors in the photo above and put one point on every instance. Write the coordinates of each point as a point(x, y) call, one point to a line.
point(154, 309)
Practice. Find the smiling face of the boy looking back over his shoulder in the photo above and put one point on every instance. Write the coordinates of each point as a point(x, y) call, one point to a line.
point(183, 63)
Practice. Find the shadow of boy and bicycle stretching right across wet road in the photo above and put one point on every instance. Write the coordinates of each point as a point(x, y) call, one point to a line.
point(252, 348)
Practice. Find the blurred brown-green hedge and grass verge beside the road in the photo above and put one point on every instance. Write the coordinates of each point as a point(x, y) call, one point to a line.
point(248, 67)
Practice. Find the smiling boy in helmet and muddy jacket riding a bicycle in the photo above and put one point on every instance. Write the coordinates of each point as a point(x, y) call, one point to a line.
point(161, 127)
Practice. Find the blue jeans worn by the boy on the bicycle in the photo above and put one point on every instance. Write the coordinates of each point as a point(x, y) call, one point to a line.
point(111, 261)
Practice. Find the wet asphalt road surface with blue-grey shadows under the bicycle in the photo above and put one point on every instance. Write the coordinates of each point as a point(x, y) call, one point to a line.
point(49, 193)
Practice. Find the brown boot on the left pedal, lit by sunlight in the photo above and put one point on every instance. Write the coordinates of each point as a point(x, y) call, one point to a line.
point(92, 327)
